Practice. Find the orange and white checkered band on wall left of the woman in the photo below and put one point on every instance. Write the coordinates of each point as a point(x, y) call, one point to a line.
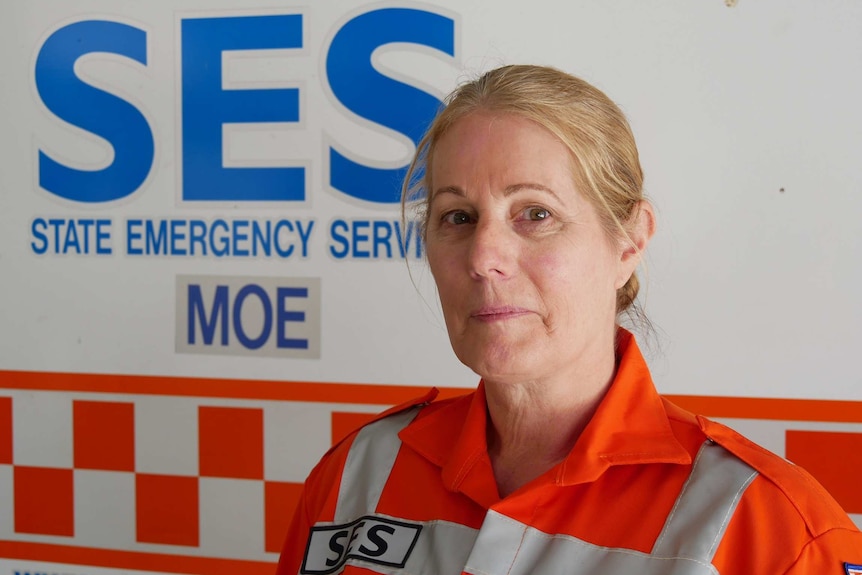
point(178, 475)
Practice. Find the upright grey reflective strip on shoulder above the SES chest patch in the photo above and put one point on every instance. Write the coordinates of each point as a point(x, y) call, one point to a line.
point(368, 465)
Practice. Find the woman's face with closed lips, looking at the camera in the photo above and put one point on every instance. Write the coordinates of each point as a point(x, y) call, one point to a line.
point(527, 276)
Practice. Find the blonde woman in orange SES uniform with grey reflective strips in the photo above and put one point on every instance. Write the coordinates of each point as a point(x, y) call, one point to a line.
point(565, 459)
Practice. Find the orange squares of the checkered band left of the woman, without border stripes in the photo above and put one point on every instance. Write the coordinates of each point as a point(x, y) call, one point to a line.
point(166, 506)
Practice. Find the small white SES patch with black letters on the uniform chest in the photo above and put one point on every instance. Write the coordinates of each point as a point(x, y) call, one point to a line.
point(372, 539)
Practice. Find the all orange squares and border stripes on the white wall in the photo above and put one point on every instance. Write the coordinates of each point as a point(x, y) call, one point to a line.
point(231, 446)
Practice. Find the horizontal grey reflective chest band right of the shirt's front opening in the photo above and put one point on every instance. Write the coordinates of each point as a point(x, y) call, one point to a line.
point(509, 547)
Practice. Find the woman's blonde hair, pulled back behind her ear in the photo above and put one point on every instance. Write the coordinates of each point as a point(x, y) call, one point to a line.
point(605, 158)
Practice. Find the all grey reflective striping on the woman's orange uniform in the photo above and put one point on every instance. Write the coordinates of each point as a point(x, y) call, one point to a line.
point(504, 546)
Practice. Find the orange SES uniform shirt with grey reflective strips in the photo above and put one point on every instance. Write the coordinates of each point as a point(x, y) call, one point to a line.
point(648, 488)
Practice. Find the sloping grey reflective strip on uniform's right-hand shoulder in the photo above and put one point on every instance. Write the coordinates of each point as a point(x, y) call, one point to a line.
point(703, 509)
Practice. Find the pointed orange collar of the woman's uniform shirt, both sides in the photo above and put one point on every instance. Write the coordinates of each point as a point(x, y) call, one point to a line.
point(629, 427)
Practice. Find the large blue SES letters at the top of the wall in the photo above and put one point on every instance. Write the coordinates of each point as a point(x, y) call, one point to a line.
point(207, 105)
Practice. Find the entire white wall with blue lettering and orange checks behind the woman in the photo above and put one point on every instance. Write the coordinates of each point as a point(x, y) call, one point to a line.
point(126, 446)
